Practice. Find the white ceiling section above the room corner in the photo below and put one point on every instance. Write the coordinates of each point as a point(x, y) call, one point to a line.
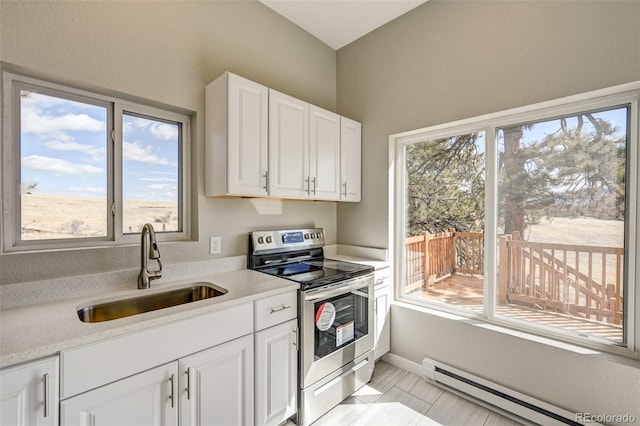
point(339, 22)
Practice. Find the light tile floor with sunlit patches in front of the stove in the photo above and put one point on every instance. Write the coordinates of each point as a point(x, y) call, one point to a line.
point(395, 397)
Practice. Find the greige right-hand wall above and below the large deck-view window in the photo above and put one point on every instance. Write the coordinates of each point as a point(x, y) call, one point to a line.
point(449, 60)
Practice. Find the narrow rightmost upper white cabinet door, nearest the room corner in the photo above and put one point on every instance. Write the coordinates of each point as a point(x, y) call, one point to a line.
point(350, 159)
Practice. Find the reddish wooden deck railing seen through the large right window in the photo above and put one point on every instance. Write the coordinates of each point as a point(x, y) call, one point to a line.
point(584, 281)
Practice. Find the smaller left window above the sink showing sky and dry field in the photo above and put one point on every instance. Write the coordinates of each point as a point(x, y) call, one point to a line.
point(83, 169)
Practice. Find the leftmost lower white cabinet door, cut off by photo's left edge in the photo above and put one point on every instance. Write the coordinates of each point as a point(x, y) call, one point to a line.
point(29, 394)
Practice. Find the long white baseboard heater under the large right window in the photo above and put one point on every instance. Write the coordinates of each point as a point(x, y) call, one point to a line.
point(511, 401)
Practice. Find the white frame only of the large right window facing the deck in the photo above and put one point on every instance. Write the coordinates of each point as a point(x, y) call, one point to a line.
point(626, 94)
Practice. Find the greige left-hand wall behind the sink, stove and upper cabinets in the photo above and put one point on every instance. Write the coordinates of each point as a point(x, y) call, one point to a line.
point(167, 52)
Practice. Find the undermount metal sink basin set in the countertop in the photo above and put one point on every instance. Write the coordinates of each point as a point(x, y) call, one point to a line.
point(108, 311)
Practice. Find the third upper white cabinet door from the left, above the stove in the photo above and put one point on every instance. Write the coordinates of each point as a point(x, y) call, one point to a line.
point(324, 154)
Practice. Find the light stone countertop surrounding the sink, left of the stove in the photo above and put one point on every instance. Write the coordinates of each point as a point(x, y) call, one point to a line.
point(45, 328)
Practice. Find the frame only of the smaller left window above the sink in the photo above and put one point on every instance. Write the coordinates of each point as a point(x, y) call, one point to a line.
point(116, 106)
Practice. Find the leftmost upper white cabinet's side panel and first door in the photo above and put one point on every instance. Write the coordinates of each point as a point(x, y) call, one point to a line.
point(236, 132)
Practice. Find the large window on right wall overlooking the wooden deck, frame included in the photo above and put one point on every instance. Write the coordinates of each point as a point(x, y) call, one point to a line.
point(526, 218)
